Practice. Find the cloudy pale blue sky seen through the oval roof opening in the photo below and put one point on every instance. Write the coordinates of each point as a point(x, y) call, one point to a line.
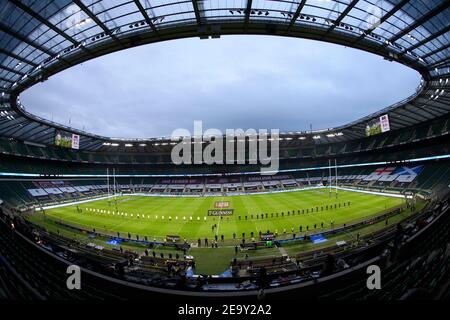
point(232, 82)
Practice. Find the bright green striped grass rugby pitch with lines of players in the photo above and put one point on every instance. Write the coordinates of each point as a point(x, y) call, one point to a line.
point(151, 211)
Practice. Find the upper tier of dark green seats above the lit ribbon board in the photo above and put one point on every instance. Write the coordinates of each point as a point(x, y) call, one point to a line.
point(10, 163)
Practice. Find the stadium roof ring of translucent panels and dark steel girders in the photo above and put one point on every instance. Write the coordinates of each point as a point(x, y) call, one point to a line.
point(39, 38)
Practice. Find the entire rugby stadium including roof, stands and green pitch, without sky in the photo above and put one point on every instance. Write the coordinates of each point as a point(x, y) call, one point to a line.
point(370, 197)
